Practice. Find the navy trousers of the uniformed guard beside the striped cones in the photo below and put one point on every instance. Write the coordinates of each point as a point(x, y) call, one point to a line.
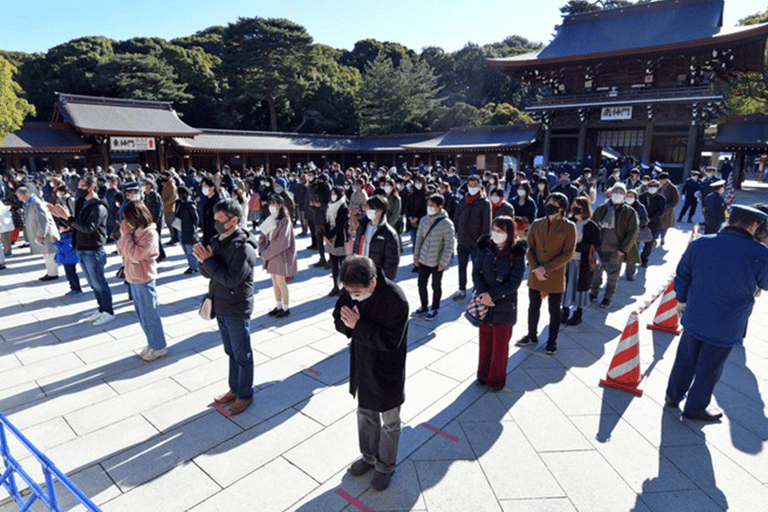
point(698, 363)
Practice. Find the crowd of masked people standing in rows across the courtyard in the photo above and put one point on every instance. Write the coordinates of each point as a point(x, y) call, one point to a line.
point(359, 221)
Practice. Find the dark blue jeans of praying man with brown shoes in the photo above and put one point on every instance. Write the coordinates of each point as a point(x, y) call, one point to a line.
point(236, 337)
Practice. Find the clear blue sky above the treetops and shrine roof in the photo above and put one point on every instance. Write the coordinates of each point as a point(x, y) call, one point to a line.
point(37, 25)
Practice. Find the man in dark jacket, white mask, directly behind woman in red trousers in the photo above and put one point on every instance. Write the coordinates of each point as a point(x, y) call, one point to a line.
point(473, 220)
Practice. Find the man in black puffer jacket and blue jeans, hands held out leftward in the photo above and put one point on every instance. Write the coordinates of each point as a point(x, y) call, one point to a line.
point(90, 226)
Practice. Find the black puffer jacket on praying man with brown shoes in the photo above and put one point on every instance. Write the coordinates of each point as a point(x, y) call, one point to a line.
point(230, 270)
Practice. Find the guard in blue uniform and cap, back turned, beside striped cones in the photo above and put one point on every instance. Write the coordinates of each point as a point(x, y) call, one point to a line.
point(728, 267)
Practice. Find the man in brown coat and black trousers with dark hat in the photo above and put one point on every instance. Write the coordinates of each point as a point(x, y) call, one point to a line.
point(551, 245)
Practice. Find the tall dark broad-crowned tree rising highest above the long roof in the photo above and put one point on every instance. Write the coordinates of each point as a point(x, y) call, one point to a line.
point(261, 60)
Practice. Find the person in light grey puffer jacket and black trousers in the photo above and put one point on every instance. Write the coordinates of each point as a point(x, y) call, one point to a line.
point(432, 253)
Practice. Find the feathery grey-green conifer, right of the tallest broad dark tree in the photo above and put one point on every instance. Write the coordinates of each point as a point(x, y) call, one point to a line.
point(397, 99)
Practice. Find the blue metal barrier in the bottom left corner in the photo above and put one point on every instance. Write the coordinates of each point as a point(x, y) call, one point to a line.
point(12, 468)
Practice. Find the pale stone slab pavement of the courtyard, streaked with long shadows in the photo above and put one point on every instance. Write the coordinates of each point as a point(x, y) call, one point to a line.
point(139, 437)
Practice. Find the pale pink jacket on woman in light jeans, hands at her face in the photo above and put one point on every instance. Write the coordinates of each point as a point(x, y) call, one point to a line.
point(139, 249)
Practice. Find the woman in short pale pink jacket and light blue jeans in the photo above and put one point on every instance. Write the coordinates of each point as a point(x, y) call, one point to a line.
point(139, 246)
